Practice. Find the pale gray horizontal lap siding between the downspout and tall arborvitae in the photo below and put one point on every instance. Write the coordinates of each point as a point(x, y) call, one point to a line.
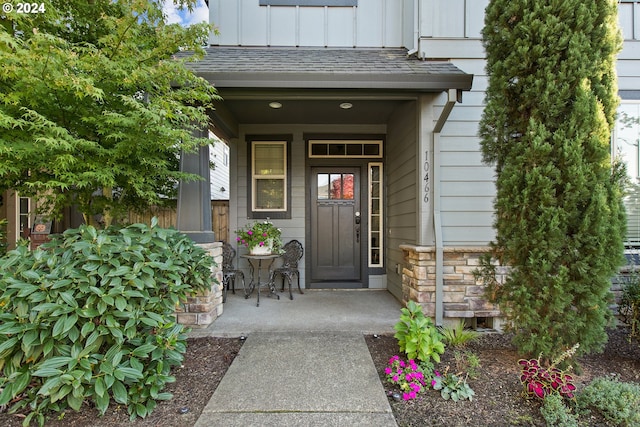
point(467, 184)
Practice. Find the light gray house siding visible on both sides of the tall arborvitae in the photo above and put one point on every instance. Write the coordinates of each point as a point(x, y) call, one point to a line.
point(467, 184)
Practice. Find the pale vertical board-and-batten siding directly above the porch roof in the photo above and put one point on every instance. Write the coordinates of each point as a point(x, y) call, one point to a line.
point(373, 23)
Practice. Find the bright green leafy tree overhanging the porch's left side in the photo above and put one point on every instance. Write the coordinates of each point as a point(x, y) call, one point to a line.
point(95, 107)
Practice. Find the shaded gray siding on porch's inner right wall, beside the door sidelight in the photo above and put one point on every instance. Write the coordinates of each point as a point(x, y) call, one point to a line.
point(401, 190)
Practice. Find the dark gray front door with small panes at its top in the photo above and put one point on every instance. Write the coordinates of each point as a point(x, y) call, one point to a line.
point(335, 227)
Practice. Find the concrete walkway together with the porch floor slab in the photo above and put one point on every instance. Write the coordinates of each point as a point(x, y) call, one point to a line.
point(304, 362)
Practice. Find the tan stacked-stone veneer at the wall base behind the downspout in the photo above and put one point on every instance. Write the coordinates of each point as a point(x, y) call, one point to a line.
point(463, 295)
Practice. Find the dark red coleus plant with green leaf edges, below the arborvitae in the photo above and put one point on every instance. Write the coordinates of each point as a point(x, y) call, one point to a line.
point(541, 381)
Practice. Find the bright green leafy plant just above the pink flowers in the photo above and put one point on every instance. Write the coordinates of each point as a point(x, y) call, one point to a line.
point(417, 336)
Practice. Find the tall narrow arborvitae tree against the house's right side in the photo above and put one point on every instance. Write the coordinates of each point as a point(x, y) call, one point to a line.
point(550, 108)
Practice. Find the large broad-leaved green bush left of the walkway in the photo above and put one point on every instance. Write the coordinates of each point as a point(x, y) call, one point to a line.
point(92, 318)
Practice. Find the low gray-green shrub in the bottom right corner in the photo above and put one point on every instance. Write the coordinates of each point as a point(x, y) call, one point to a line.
point(618, 402)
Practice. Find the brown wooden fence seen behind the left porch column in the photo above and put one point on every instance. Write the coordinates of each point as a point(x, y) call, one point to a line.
point(167, 217)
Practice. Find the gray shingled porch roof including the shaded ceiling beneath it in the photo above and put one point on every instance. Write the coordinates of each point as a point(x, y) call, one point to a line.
point(311, 83)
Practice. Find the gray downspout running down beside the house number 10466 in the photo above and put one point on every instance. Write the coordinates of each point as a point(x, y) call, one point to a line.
point(453, 96)
